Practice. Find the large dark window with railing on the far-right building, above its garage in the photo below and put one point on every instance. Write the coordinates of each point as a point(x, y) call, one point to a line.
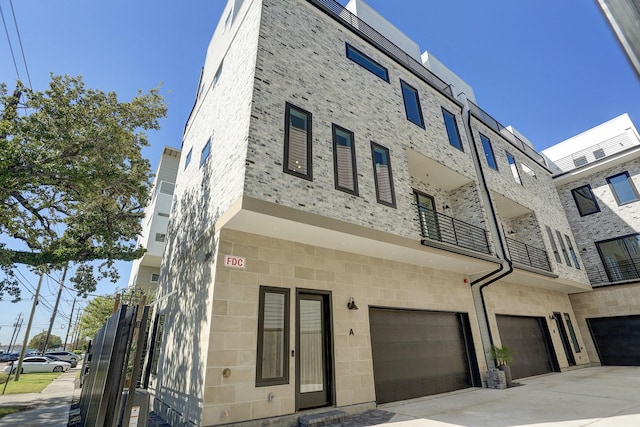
point(621, 257)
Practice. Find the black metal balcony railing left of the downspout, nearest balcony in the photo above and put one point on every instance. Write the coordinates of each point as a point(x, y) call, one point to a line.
point(443, 228)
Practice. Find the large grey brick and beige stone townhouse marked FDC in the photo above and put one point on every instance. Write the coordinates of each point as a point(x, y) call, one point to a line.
point(350, 228)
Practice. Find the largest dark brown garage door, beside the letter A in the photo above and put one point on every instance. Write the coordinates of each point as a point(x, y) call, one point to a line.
point(419, 353)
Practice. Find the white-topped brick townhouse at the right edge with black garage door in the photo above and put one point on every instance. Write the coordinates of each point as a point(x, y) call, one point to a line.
point(597, 174)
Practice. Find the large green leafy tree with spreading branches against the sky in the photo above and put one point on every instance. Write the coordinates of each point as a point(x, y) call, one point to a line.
point(73, 182)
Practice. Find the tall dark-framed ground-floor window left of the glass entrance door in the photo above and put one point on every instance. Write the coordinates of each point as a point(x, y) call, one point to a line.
point(272, 364)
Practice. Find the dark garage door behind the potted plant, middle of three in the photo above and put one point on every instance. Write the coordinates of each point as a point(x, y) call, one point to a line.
point(529, 338)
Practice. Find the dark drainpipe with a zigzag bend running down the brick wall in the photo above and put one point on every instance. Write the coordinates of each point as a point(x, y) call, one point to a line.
point(478, 285)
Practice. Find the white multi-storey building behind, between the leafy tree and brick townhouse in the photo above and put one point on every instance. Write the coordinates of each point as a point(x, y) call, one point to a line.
point(145, 271)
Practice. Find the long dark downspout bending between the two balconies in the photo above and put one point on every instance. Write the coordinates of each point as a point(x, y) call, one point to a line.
point(495, 275)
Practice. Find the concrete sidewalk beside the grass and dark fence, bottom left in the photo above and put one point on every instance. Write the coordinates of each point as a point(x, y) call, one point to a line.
point(50, 407)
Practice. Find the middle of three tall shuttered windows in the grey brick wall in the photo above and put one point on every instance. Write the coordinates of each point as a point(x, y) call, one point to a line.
point(344, 160)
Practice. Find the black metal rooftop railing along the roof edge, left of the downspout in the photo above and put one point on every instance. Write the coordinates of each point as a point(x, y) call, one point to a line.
point(338, 12)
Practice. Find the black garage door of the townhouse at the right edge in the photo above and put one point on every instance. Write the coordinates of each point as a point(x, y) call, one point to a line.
point(617, 339)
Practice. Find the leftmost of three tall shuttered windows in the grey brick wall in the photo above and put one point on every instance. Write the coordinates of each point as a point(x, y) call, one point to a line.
point(297, 142)
